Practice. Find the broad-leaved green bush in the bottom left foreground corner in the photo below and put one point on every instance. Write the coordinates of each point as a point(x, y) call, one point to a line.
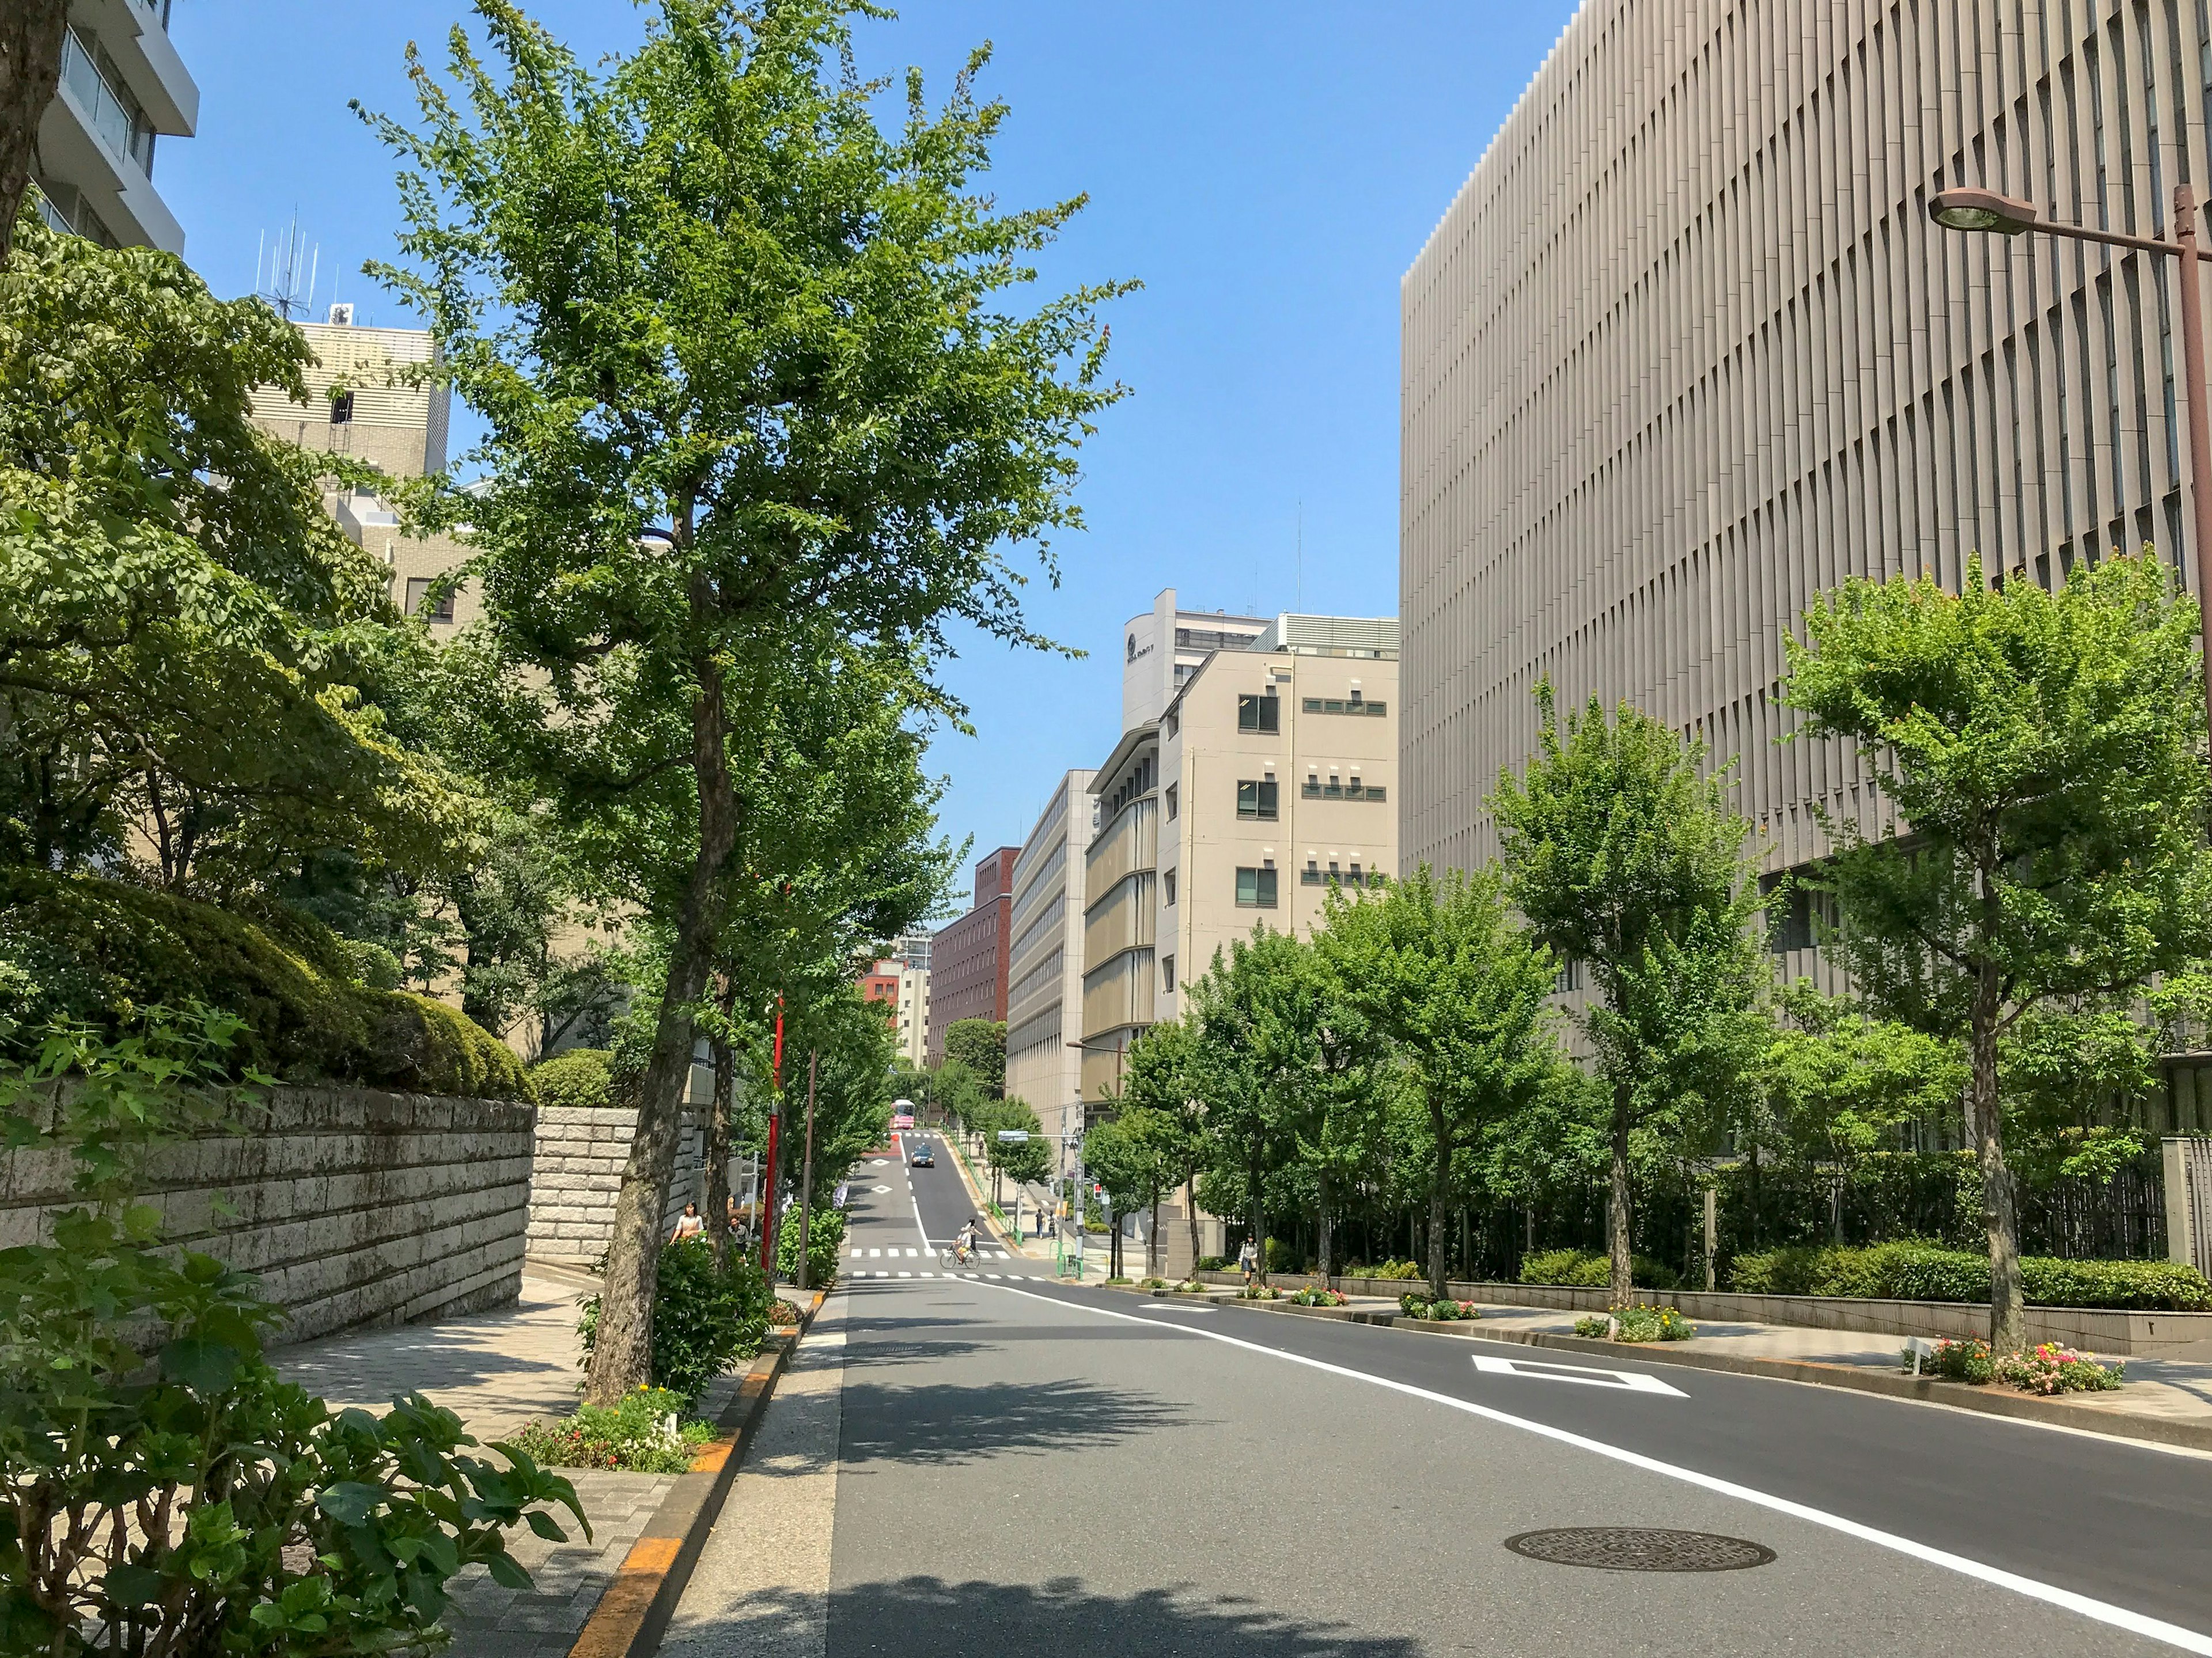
point(165, 1491)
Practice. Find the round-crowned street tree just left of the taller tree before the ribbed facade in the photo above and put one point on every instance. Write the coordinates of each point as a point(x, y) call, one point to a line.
point(1443, 978)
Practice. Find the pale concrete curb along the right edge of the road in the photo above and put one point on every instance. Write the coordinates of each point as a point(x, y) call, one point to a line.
point(1857, 1378)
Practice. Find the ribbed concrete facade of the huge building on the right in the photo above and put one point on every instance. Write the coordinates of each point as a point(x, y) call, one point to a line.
point(1687, 350)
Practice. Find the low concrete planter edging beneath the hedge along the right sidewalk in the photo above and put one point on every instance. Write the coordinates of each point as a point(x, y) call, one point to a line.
point(2085, 1328)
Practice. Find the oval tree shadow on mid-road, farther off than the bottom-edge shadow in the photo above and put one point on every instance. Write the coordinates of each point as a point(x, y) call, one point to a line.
point(950, 1425)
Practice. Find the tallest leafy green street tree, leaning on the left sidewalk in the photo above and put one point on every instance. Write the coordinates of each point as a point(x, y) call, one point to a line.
point(753, 390)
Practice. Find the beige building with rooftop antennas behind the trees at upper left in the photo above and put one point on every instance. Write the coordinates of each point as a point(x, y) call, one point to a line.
point(371, 399)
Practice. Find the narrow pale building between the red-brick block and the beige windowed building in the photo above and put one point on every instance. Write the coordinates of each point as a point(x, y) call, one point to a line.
point(1045, 961)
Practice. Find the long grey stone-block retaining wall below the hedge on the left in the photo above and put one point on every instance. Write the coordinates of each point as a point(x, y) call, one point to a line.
point(353, 1208)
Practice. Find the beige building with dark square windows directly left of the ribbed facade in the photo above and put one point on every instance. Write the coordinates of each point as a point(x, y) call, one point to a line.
point(1271, 773)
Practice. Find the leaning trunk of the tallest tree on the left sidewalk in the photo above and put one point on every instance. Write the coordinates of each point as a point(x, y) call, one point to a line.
point(623, 1352)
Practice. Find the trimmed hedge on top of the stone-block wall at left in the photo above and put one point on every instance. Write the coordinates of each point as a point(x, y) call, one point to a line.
point(94, 949)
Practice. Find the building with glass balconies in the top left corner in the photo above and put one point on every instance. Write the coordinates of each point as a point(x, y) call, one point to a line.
point(123, 92)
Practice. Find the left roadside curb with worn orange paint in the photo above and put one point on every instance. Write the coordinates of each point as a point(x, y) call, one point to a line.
point(636, 1608)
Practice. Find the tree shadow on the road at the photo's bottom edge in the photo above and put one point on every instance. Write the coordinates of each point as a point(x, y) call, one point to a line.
point(930, 1619)
